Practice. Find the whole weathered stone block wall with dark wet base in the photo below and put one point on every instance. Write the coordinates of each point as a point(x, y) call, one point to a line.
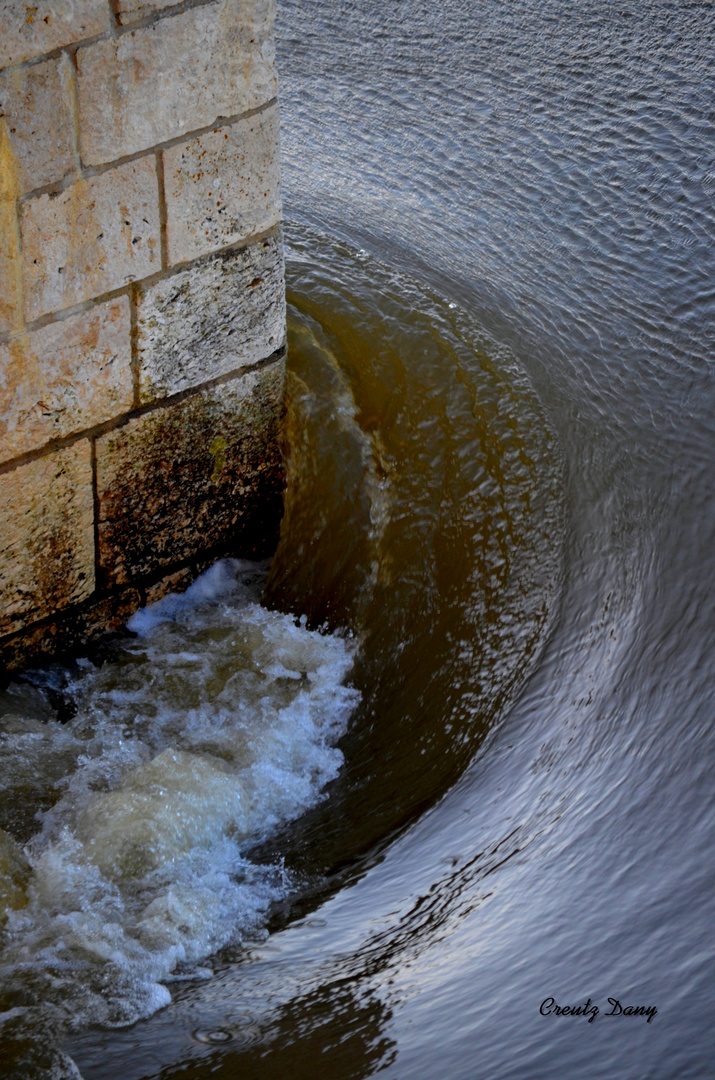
point(142, 306)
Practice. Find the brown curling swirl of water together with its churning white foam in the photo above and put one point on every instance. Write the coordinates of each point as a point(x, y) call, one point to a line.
point(420, 556)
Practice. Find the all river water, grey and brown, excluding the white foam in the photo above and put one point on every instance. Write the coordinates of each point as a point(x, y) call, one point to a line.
point(511, 502)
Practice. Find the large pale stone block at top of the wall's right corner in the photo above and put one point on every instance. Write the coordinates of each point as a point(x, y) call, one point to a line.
point(177, 76)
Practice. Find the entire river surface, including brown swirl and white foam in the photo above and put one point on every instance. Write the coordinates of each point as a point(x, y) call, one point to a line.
point(471, 771)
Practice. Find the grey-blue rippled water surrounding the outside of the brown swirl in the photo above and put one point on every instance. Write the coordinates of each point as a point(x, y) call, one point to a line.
point(548, 167)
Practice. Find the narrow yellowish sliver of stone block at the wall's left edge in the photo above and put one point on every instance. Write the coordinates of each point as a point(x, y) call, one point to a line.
point(11, 265)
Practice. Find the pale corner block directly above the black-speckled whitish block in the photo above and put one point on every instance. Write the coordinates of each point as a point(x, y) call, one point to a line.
point(223, 187)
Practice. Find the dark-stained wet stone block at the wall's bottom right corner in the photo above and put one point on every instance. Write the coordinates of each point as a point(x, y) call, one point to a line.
point(193, 477)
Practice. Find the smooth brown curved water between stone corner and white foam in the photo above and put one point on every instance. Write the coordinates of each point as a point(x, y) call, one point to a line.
point(431, 526)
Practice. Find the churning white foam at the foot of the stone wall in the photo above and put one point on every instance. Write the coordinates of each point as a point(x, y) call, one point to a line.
point(217, 725)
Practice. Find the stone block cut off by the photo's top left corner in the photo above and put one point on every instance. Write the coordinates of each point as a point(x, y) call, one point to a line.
point(31, 30)
